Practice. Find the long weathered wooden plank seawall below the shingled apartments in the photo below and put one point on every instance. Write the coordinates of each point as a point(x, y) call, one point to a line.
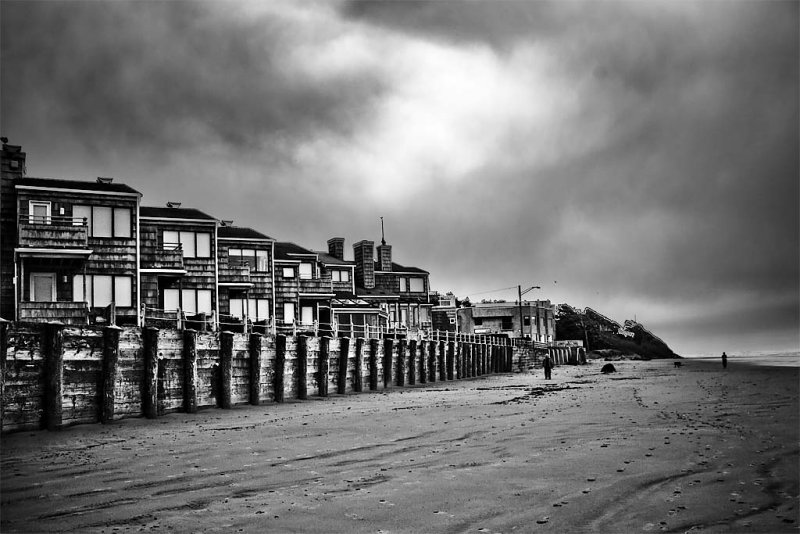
point(55, 375)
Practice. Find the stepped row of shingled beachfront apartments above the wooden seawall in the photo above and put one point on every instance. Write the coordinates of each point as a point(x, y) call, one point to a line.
point(84, 252)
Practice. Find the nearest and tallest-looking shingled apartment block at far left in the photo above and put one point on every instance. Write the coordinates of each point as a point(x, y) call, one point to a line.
point(69, 248)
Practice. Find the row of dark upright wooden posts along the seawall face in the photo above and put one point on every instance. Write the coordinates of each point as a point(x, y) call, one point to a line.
point(425, 360)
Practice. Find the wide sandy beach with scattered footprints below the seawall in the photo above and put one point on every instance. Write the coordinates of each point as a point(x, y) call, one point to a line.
point(650, 448)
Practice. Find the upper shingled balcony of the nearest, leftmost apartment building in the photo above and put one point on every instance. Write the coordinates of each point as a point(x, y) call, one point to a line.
point(53, 232)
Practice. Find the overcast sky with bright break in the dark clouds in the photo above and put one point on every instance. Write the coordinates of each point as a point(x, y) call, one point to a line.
point(639, 158)
